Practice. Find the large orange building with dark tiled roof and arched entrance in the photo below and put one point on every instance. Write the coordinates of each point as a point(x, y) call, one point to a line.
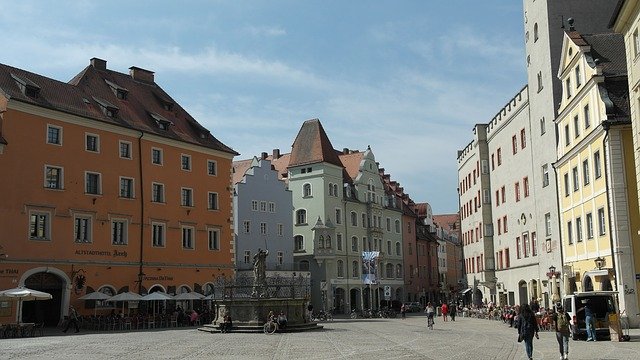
point(106, 184)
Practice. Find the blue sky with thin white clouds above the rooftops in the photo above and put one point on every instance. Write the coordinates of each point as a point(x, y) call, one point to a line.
point(408, 78)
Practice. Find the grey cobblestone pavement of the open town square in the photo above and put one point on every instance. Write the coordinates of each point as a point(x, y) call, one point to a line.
point(465, 338)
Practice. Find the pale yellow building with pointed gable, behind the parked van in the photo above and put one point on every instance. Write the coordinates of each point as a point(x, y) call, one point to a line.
point(595, 168)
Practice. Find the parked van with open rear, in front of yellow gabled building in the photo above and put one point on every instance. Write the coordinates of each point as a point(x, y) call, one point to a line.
point(603, 304)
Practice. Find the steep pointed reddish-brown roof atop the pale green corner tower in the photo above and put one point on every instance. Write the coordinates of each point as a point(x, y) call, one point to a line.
point(312, 146)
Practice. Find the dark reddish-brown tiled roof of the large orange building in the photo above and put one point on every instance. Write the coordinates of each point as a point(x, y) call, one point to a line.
point(92, 88)
